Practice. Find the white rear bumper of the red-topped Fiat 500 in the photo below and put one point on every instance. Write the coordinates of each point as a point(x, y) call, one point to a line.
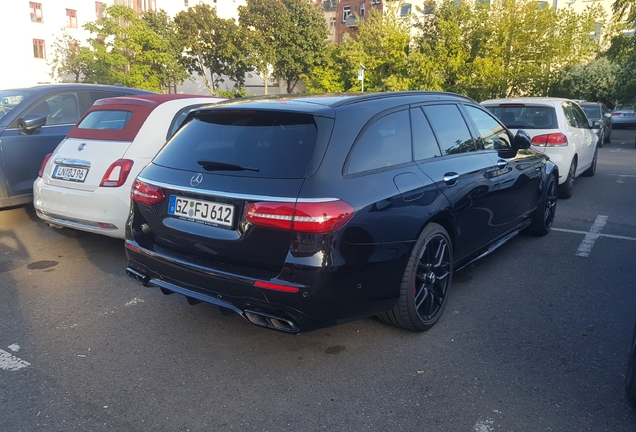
point(103, 211)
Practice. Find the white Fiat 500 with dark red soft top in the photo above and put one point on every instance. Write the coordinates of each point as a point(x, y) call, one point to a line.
point(85, 183)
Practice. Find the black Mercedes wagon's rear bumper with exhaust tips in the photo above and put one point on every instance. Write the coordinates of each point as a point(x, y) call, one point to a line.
point(325, 297)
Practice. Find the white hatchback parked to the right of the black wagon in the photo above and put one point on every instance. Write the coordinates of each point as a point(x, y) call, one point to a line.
point(559, 128)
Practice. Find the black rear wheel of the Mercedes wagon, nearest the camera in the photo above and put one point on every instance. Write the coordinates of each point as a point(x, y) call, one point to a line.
point(425, 284)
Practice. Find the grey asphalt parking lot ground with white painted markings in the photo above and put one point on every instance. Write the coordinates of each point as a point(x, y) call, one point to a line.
point(534, 338)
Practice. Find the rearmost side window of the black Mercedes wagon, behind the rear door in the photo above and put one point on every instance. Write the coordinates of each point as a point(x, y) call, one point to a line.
point(386, 142)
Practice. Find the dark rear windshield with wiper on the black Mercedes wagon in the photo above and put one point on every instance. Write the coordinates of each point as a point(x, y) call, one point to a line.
point(266, 144)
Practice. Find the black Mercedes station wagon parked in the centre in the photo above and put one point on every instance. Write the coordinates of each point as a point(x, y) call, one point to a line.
point(304, 212)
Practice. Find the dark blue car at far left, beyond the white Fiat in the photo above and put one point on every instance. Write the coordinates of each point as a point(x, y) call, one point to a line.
point(33, 121)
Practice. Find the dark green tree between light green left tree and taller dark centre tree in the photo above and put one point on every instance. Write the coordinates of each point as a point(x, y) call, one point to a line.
point(213, 44)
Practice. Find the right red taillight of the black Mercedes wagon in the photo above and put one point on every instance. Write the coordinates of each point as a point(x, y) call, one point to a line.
point(310, 217)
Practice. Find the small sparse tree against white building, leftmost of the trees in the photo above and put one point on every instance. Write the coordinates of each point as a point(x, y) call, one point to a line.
point(69, 59)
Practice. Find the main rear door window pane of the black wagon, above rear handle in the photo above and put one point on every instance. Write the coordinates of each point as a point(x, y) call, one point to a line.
point(449, 128)
